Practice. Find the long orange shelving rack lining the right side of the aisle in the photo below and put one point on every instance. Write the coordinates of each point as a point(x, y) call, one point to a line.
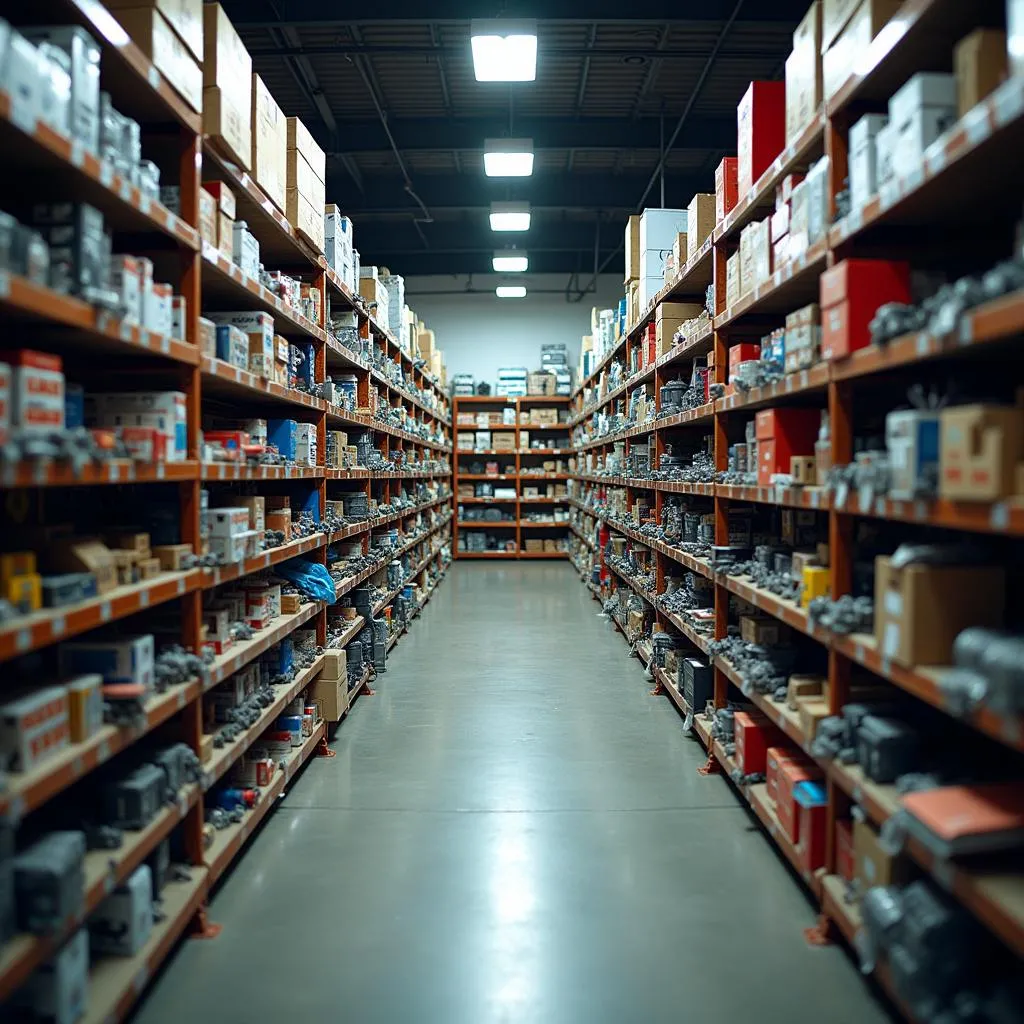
point(956, 216)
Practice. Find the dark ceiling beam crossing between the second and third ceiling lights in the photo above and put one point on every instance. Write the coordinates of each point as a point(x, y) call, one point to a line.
point(556, 192)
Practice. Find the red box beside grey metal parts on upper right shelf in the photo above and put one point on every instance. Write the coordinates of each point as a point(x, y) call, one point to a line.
point(851, 294)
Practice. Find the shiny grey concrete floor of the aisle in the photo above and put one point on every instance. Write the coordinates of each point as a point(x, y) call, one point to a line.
point(513, 833)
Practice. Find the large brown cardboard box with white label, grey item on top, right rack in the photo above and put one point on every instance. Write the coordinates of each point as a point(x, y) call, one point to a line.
point(920, 610)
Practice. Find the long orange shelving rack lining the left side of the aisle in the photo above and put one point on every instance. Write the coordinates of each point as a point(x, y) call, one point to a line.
point(98, 350)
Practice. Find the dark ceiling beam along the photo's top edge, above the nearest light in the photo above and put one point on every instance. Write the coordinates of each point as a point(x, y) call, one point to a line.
point(335, 14)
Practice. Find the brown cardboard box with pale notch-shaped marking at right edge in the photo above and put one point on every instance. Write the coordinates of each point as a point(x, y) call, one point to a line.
point(980, 450)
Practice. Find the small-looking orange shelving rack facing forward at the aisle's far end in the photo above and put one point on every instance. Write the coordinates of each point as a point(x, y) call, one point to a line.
point(522, 466)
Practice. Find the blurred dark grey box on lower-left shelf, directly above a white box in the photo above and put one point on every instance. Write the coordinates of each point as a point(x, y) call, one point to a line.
point(50, 882)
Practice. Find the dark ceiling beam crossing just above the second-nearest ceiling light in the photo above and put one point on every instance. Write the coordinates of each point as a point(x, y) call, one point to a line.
point(547, 134)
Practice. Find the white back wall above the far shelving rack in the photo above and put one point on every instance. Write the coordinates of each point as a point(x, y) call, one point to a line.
point(479, 333)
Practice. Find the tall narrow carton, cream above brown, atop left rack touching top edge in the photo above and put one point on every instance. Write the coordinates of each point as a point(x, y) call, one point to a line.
point(228, 72)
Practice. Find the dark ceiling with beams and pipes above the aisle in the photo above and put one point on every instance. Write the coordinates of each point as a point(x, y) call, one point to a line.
point(394, 101)
